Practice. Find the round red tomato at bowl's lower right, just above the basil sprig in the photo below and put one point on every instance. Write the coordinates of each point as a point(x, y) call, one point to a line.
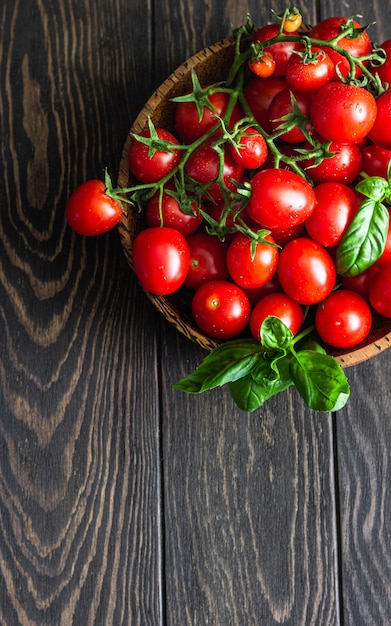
point(343, 319)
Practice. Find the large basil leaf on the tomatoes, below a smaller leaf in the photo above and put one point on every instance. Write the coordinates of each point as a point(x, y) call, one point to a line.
point(364, 240)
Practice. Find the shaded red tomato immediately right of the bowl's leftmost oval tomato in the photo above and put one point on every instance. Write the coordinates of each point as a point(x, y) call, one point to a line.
point(207, 260)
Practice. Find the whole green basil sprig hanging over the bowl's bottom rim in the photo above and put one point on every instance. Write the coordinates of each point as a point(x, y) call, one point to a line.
point(255, 371)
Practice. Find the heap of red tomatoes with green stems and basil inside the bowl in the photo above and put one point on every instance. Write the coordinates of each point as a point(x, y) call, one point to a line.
point(260, 200)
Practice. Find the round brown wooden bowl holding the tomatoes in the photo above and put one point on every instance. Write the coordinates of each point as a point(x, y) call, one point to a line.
point(212, 65)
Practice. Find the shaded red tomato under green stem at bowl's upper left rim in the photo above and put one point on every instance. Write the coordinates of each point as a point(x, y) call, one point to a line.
point(191, 126)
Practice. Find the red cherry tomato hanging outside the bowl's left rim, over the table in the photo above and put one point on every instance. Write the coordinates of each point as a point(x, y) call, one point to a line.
point(91, 211)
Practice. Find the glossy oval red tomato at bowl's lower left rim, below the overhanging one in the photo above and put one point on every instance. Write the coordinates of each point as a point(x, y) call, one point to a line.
point(160, 259)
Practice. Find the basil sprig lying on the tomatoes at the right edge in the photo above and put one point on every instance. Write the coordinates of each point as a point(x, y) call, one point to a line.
point(365, 239)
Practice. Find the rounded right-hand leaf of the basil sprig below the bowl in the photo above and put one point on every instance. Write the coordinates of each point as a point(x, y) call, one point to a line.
point(320, 380)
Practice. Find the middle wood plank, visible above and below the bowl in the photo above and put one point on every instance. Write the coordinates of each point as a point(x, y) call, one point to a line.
point(249, 499)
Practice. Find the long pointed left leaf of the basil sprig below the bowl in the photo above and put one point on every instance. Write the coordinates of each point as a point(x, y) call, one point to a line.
point(226, 363)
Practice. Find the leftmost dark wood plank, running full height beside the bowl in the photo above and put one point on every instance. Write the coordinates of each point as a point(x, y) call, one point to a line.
point(79, 426)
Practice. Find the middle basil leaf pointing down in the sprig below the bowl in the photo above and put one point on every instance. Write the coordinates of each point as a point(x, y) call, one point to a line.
point(250, 394)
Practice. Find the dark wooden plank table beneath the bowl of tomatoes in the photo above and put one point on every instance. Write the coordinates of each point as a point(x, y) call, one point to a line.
point(123, 501)
